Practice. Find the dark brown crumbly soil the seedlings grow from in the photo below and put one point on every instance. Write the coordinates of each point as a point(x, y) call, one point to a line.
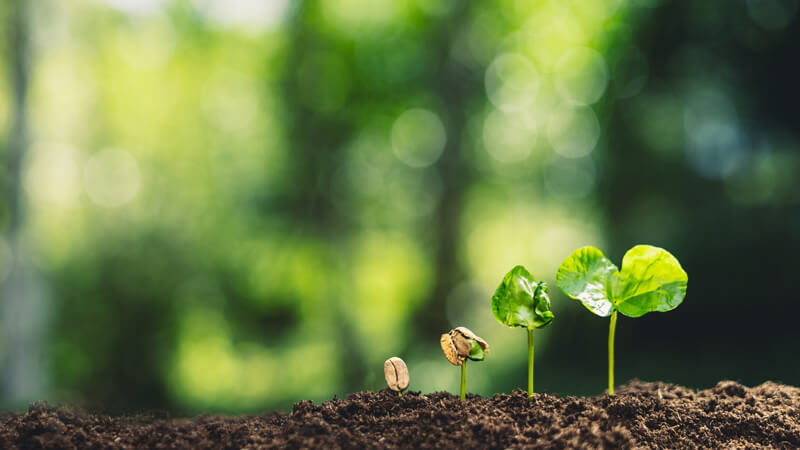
point(649, 415)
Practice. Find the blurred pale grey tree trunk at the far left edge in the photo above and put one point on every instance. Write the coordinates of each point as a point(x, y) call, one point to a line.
point(21, 312)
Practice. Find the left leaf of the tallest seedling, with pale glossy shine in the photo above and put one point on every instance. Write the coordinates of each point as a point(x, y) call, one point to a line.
point(584, 276)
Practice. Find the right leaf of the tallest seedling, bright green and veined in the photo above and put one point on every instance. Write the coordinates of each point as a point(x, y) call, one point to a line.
point(652, 280)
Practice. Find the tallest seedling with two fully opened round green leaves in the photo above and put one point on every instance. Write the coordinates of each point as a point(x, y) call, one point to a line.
point(651, 279)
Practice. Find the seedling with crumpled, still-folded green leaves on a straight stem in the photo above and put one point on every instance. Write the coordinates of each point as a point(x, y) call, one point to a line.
point(521, 301)
